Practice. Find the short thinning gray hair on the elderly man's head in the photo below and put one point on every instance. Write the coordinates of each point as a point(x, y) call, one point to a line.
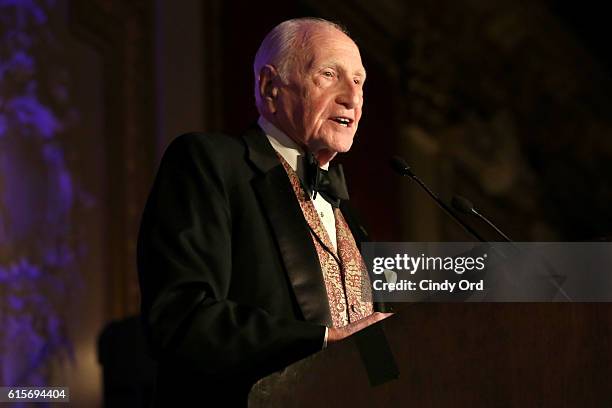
point(279, 47)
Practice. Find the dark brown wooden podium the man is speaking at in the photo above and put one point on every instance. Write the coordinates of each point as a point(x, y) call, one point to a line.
point(459, 355)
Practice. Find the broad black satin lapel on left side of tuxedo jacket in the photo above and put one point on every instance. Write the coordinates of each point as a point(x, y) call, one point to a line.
point(289, 227)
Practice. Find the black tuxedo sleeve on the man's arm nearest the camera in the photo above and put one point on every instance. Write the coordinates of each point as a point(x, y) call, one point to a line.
point(185, 268)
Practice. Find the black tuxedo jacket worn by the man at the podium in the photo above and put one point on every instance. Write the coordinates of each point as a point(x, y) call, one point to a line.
point(231, 284)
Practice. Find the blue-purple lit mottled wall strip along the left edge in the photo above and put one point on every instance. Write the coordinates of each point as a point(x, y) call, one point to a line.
point(37, 196)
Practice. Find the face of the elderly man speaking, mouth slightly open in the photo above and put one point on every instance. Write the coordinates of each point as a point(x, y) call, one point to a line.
point(320, 107)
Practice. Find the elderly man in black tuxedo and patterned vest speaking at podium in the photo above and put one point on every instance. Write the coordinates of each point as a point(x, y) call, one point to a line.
point(248, 257)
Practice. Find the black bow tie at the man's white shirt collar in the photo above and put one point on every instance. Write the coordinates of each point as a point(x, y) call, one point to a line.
point(329, 183)
